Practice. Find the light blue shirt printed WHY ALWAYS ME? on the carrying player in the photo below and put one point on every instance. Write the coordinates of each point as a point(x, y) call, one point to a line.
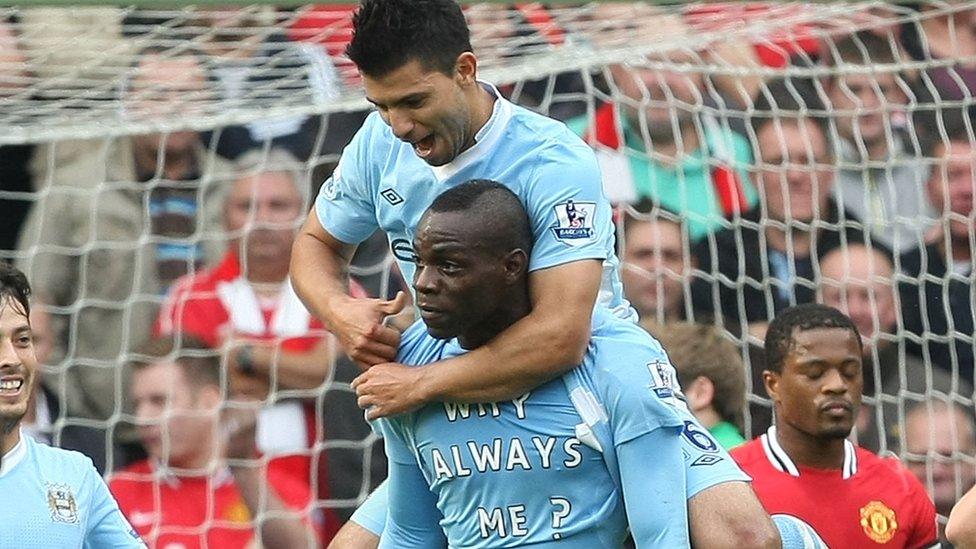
point(528, 472)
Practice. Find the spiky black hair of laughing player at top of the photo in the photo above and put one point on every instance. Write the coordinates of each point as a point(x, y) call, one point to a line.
point(388, 34)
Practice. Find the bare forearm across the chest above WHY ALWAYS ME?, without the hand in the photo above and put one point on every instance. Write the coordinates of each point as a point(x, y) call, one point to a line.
point(532, 351)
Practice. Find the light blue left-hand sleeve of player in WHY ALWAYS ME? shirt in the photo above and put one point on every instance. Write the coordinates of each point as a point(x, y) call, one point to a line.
point(413, 519)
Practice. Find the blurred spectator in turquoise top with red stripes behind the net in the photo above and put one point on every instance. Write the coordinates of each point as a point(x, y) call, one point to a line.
point(657, 143)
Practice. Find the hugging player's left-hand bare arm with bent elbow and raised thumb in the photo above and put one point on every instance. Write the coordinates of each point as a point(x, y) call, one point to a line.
point(317, 263)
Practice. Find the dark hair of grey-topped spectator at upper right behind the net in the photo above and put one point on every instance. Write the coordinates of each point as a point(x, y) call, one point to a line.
point(791, 99)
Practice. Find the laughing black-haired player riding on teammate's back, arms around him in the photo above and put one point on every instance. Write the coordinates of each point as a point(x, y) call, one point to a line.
point(436, 127)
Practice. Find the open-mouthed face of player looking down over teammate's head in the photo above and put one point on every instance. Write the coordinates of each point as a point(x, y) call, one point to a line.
point(426, 108)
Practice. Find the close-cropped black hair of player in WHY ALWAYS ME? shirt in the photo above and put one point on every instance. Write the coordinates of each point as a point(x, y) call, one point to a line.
point(508, 223)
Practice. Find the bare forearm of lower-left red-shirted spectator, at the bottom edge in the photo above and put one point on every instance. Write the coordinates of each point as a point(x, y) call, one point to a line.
point(283, 528)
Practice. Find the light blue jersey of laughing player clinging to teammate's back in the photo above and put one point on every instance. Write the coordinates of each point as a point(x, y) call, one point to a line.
point(381, 183)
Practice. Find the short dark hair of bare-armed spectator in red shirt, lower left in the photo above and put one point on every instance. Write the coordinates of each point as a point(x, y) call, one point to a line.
point(200, 363)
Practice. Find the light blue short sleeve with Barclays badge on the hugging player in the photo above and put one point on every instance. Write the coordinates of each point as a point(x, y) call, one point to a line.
point(571, 216)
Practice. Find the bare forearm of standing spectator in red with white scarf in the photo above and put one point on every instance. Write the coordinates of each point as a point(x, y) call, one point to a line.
point(296, 370)
